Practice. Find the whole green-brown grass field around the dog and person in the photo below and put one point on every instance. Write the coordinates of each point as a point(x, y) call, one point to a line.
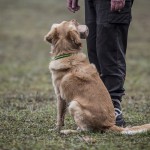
point(27, 99)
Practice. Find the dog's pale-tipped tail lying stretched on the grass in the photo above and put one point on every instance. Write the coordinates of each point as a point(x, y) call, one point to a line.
point(131, 130)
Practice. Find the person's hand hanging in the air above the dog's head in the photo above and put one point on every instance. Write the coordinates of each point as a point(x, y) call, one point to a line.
point(72, 5)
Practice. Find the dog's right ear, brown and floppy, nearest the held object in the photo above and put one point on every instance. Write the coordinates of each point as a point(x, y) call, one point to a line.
point(74, 37)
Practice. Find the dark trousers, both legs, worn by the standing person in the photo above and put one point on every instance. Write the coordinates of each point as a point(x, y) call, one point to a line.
point(107, 42)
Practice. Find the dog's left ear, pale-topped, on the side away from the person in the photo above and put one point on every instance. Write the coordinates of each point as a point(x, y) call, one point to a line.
point(52, 35)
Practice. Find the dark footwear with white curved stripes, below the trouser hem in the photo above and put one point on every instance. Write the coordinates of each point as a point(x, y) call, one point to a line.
point(118, 113)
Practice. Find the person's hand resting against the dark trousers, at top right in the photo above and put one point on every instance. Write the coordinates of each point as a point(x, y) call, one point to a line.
point(117, 5)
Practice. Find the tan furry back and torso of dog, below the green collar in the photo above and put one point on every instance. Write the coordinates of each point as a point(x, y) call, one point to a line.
point(80, 82)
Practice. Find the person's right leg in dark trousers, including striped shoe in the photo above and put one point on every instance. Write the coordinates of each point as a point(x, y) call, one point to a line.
point(111, 43)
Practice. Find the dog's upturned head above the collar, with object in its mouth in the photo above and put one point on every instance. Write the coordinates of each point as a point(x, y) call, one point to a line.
point(66, 36)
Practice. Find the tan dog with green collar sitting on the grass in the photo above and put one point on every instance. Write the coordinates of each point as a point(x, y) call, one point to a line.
point(77, 84)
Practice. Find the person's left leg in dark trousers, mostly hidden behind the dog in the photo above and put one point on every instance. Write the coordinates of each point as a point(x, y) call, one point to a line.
point(90, 20)
